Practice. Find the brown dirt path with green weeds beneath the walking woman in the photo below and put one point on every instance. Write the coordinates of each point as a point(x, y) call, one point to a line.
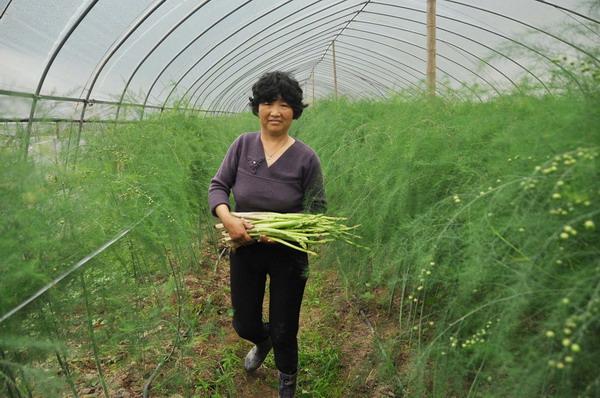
point(337, 340)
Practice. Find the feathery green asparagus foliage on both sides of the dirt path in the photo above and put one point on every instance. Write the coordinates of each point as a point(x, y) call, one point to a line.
point(482, 218)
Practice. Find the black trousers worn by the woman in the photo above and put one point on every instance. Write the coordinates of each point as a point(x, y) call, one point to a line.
point(288, 271)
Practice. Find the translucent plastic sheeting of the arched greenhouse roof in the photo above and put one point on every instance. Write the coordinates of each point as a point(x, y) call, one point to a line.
point(209, 52)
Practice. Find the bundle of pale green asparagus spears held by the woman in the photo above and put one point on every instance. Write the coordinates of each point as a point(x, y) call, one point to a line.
point(296, 230)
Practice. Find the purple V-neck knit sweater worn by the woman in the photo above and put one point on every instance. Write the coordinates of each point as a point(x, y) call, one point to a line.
point(293, 184)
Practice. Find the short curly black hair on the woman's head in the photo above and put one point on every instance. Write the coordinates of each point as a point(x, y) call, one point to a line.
point(273, 85)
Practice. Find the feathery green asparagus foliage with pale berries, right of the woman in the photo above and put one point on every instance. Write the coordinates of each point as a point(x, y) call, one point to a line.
point(483, 221)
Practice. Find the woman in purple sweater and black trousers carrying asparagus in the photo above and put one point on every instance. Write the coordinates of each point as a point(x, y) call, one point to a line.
point(268, 171)
